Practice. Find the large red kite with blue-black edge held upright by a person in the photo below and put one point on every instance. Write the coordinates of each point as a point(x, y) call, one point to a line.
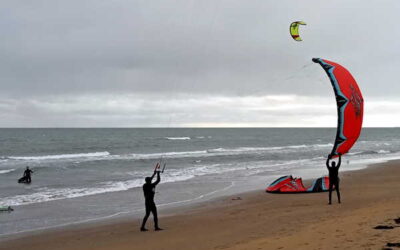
point(350, 106)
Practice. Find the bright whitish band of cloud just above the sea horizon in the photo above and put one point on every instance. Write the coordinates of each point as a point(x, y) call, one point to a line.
point(152, 110)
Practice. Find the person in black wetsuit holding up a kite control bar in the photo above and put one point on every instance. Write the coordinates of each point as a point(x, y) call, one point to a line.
point(149, 190)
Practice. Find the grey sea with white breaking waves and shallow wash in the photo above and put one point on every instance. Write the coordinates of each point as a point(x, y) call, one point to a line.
point(94, 174)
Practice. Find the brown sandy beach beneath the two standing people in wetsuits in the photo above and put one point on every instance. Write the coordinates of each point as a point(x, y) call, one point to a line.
point(257, 220)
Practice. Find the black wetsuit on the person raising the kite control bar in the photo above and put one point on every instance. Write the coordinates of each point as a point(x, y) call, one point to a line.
point(149, 190)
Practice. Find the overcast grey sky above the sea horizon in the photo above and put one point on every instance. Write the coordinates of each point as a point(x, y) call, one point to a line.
point(188, 63)
